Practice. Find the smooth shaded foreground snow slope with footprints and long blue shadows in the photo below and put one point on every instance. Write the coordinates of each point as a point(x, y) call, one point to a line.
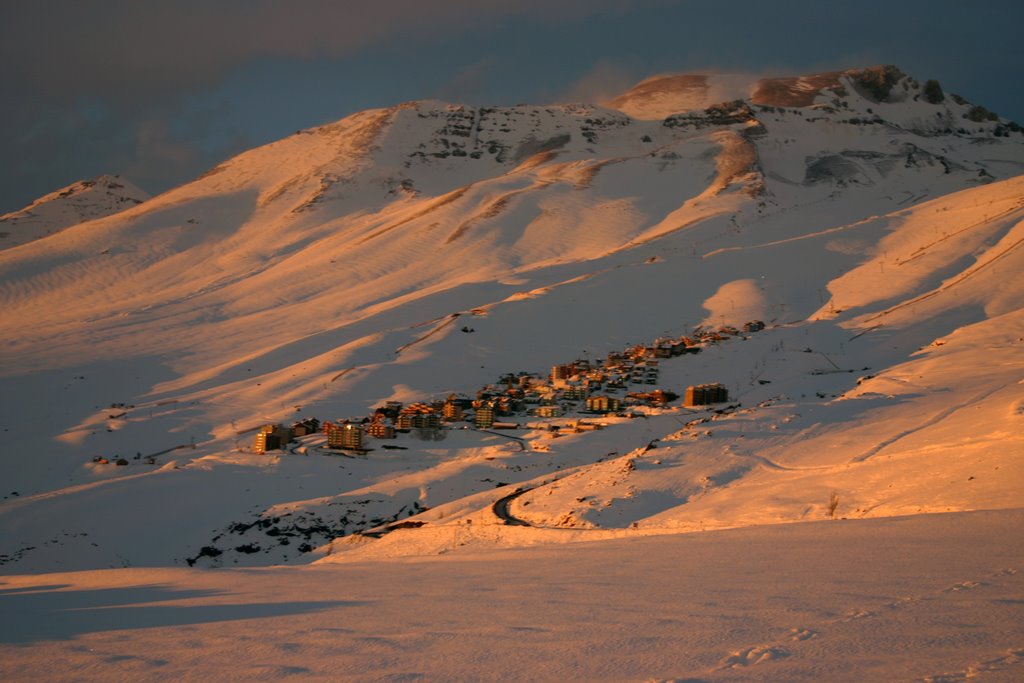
point(925, 599)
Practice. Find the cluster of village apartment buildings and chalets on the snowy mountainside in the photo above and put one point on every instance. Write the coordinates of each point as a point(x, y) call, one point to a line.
point(613, 386)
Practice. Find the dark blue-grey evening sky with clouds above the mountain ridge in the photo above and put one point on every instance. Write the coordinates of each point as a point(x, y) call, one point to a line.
point(159, 92)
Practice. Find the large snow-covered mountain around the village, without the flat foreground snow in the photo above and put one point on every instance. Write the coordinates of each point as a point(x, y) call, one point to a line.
point(872, 222)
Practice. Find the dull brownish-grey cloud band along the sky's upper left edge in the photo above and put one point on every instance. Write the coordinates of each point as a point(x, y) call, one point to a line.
point(137, 51)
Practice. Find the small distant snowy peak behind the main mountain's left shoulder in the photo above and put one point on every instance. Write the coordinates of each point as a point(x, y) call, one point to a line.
point(82, 201)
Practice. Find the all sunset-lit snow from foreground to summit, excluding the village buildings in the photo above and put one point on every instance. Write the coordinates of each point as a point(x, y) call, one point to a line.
point(852, 513)
